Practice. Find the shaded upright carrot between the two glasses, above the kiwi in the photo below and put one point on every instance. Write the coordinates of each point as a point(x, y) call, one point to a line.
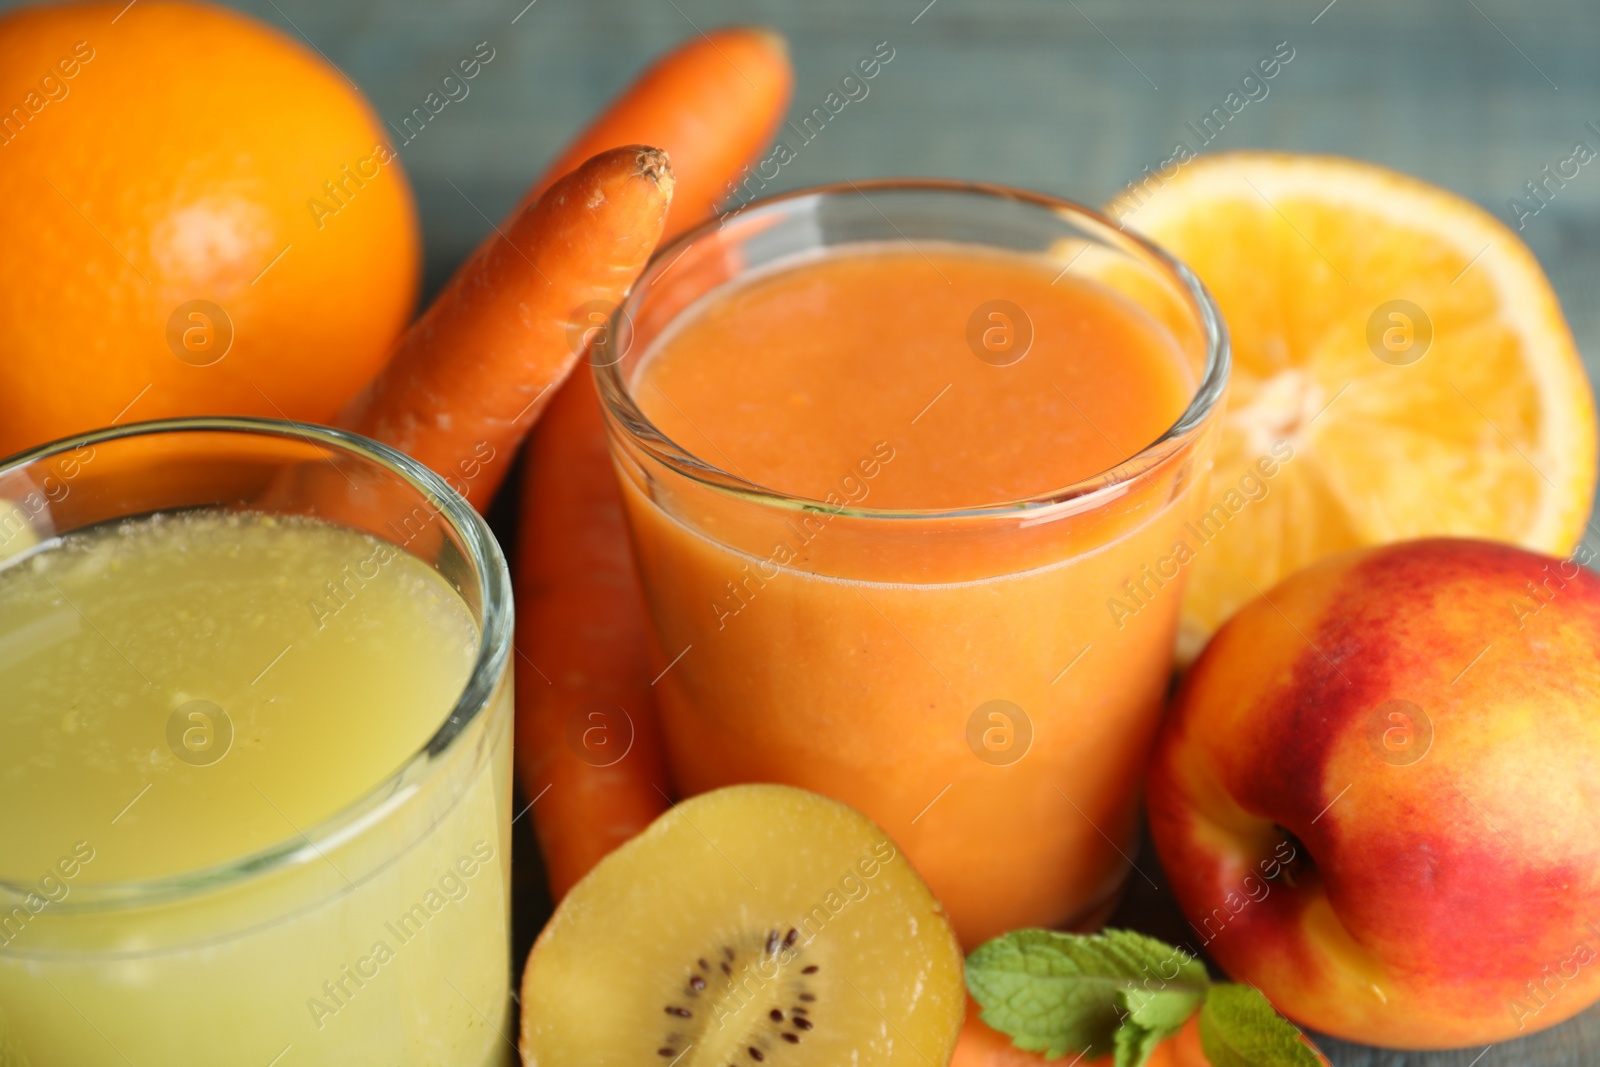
point(582, 617)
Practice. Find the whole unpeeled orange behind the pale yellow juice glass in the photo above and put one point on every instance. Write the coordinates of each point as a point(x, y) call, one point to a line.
point(199, 217)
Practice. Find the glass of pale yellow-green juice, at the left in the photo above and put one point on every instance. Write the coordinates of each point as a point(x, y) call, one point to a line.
point(255, 764)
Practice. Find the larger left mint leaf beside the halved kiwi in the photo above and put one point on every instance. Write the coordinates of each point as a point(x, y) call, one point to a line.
point(1058, 994)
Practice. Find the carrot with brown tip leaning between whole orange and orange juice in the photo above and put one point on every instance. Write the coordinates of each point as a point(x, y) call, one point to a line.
point(473, 374)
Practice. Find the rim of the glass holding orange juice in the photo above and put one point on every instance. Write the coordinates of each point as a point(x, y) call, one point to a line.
point(623, 410)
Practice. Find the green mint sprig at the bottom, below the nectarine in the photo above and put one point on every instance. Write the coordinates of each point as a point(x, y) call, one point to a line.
point(1124, 994)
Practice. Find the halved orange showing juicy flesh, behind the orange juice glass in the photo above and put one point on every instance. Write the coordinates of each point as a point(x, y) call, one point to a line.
point(1401, 366)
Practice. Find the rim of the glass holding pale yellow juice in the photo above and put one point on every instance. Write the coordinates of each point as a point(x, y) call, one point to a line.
point(484, 681)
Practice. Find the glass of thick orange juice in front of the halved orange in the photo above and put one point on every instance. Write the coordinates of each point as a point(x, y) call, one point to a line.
point(908, 468)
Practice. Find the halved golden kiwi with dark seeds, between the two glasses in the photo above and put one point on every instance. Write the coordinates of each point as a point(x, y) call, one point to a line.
point(750, 925)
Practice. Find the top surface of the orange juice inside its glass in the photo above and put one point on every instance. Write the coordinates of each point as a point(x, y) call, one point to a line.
point(791, 378)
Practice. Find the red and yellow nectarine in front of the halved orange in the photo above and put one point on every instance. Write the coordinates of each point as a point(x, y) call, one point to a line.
point(1377, 794)
